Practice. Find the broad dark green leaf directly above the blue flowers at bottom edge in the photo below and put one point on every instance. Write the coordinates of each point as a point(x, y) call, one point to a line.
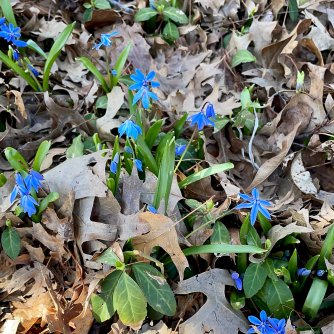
point(278, 295)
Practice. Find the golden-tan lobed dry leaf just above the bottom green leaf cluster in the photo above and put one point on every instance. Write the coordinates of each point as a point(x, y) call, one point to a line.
point(162, 234)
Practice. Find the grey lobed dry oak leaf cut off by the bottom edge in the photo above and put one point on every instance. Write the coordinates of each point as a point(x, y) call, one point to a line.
point(217, 314)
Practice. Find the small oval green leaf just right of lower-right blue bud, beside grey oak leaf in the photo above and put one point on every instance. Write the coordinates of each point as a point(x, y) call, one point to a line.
point(255, 277)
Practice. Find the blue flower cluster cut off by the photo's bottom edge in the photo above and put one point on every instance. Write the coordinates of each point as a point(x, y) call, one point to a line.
point(267, 325)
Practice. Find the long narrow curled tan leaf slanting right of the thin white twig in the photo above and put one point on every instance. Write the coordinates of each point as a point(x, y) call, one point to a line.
point(270, 165)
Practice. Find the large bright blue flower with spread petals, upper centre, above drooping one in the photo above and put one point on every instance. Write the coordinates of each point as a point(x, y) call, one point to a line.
point(142, 84)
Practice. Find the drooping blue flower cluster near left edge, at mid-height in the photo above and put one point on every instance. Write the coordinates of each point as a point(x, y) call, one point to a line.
point(24, 187)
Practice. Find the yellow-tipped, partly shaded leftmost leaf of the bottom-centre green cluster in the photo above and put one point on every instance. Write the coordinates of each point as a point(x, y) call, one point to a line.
point(102, 305)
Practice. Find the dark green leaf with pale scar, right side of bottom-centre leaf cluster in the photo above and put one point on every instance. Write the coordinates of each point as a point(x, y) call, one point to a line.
point(155, 288)
